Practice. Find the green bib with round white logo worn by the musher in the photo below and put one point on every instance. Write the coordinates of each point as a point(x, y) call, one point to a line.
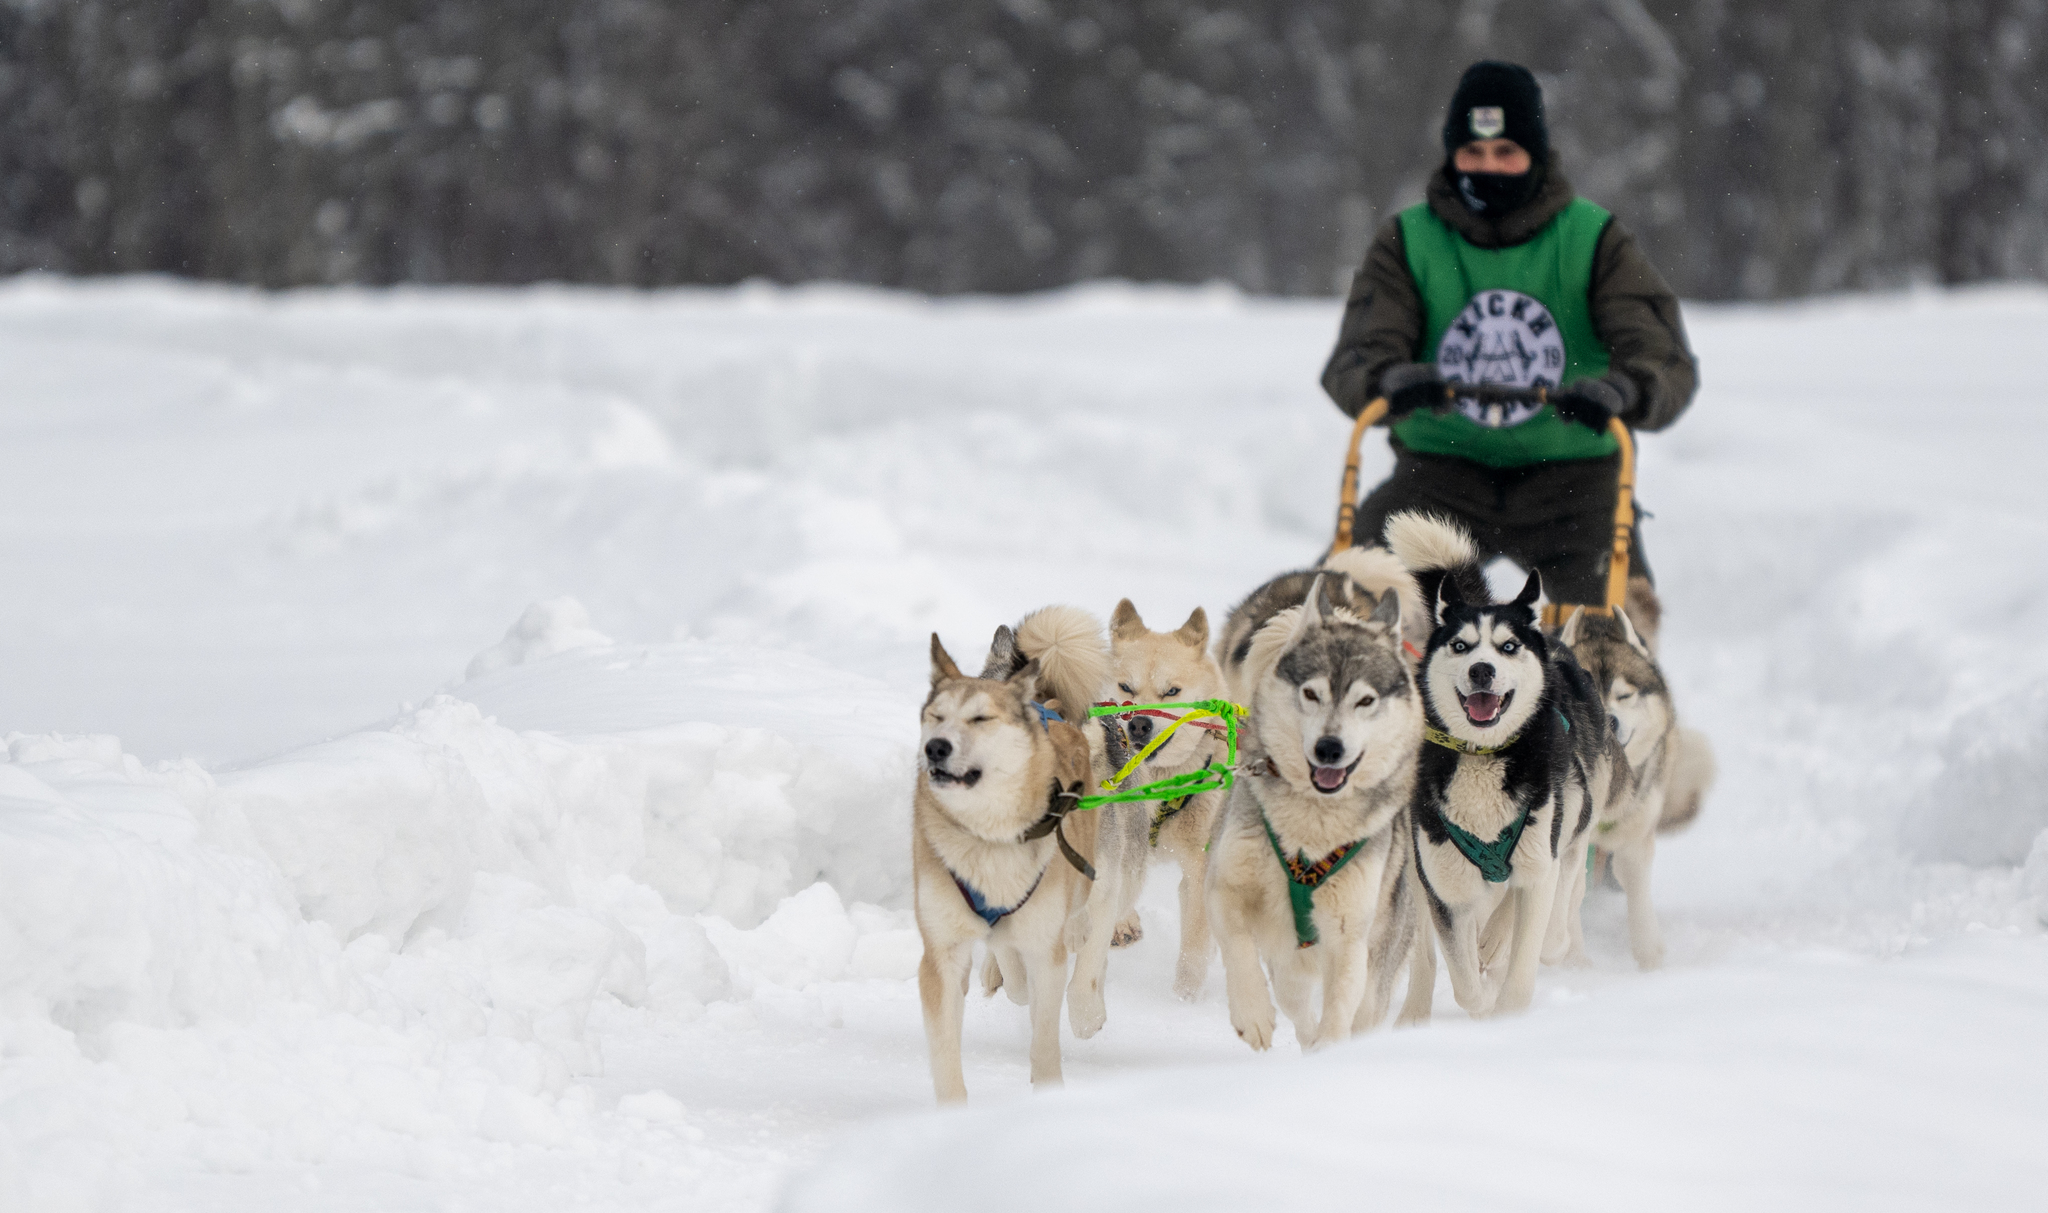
point(1514, 317)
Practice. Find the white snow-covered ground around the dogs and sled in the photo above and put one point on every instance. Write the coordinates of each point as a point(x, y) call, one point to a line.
point(515, 700)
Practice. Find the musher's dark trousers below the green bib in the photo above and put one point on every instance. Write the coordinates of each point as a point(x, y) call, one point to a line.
point(1549, 517)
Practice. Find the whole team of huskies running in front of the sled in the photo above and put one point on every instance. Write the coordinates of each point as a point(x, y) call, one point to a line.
point(1422, 769)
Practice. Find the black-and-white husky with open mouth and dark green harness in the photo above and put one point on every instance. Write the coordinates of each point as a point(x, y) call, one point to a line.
point(1521, 761)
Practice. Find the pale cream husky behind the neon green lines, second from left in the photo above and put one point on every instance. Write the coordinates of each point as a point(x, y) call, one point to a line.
point(1154, 667)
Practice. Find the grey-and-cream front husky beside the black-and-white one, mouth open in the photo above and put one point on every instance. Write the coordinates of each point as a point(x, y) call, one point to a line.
point(1310, 862)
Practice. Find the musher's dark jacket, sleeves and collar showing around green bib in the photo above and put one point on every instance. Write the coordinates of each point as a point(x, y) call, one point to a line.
point(1633, 308)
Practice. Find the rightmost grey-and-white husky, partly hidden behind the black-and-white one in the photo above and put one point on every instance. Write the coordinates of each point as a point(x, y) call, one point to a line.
point(1670, 767)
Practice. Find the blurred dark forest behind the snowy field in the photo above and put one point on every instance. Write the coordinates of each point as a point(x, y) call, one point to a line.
point(1762, 149)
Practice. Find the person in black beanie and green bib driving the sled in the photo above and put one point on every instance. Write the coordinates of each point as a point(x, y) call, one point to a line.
point(1504, 276)
